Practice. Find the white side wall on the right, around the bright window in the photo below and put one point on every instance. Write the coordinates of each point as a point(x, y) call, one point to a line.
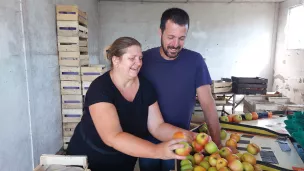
point(289, 73)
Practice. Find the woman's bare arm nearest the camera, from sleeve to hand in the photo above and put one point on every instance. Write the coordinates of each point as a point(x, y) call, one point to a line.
point(108, 127)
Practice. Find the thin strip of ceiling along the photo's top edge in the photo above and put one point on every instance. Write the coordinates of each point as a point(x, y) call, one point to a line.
point(189, 1)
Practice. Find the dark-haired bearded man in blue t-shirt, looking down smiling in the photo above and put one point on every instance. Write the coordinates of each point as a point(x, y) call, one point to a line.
point(178, 75)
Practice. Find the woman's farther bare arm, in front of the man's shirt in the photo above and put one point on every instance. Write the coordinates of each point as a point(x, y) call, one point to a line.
point(161, 130)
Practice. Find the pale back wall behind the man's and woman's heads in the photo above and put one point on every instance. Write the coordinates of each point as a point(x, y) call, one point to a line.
point(235, 38)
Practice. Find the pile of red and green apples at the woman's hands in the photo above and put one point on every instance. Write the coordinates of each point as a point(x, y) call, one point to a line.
point(203, 155)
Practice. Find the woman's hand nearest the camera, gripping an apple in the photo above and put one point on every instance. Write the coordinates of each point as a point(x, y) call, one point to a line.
point(165, 150)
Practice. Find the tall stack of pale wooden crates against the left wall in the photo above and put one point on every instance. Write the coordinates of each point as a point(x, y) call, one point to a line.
point(72, 36)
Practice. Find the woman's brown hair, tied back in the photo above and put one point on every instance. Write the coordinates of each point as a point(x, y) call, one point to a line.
point(119, 47)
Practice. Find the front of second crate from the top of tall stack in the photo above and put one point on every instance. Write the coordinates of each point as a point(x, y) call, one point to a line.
point(68, 28)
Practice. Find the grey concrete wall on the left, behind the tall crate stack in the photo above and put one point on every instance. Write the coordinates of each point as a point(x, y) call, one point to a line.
point(30, 117)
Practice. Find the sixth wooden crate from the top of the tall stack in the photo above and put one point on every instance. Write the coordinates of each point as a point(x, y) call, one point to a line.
point(70, 87)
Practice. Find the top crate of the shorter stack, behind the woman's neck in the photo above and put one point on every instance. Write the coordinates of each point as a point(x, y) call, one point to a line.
point(90, 73)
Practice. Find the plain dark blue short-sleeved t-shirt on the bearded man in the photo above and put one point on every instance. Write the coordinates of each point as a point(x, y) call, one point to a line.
point(175, 82)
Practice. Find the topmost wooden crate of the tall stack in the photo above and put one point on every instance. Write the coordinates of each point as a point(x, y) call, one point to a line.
point(71, 13)
